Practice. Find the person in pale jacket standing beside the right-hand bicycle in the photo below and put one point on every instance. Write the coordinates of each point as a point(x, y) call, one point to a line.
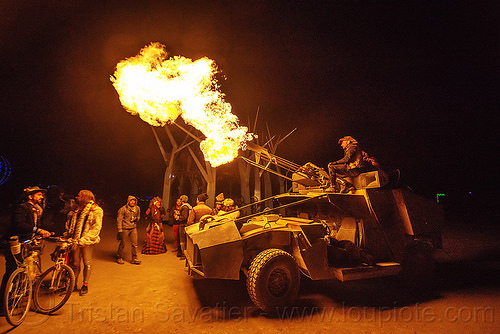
point(84, 226)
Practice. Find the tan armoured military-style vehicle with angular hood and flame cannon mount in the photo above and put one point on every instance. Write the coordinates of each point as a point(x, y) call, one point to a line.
point(299, 237)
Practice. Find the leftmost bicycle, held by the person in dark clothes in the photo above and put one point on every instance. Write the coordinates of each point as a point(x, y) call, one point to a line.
point(18, 290)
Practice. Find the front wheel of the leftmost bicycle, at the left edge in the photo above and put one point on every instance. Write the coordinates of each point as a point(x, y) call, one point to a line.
point(17, 298)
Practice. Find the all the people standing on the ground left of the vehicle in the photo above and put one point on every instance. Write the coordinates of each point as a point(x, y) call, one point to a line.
point(84, 223)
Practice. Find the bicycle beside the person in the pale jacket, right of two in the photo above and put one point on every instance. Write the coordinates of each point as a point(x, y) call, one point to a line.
point(53, 288)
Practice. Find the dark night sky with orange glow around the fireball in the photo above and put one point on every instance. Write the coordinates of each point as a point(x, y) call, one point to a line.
point(417, 84)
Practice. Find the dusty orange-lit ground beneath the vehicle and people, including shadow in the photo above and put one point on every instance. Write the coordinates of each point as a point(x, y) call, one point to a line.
point(158, 296)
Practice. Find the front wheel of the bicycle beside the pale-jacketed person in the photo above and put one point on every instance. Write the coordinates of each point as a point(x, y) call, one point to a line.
point(53, 289)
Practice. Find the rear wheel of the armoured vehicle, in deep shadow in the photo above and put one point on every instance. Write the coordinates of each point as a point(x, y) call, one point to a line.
point(418, 267)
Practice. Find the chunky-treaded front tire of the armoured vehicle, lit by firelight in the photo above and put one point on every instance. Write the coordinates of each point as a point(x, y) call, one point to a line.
point(273, 280)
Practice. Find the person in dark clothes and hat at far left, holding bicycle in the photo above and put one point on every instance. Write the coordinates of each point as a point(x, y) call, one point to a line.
point(25, 222)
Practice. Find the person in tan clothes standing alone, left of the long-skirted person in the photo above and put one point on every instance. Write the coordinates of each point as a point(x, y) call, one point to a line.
point(128, 216)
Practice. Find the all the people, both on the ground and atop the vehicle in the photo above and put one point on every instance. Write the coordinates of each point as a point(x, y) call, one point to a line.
point(84, 220)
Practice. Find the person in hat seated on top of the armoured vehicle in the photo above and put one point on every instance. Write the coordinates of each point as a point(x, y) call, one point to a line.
point(349, 165)
